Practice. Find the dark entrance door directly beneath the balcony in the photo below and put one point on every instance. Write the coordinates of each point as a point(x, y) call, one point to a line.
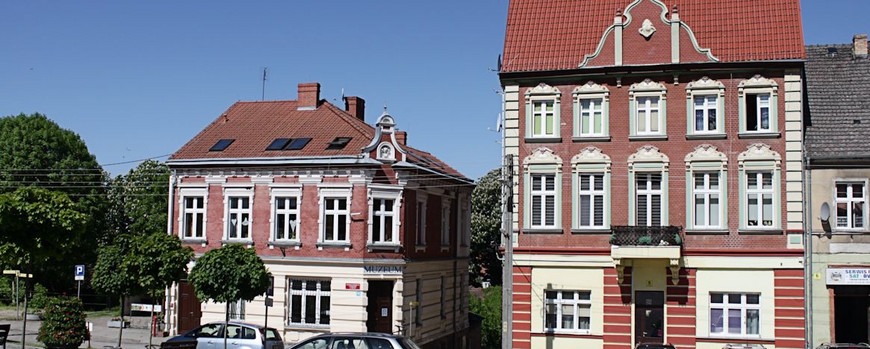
point(649, 317)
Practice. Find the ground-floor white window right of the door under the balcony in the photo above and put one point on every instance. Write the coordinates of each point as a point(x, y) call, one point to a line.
point(735, 314)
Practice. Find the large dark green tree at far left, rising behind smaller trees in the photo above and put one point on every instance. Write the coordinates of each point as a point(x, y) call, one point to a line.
point(36, 152)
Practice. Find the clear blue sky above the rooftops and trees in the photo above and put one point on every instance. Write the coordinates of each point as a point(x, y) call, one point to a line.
point(137, 79)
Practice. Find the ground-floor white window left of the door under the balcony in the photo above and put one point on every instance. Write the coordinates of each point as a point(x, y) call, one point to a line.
point(567, 311)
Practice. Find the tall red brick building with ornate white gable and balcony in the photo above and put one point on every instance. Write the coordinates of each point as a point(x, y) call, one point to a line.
point(657, 152)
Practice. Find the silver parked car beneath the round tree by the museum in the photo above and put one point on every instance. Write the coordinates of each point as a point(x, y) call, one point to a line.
point(240, 336)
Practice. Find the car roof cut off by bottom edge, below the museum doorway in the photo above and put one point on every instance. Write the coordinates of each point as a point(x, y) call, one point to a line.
point(356, 341)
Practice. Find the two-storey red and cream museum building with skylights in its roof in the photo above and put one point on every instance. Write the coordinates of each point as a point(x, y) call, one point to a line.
point(360, 231)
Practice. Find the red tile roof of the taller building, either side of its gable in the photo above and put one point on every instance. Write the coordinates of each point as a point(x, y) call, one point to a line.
point(556, 34)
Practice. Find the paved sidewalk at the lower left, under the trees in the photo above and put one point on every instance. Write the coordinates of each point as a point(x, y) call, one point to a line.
point(134, 337)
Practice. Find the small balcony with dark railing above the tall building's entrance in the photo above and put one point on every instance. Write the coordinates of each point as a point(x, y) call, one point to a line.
point(639, 242)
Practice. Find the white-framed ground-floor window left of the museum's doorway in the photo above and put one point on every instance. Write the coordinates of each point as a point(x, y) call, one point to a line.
point(309, 302)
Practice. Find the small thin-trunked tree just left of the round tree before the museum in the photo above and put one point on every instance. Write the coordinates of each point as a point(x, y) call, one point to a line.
point(156, 261)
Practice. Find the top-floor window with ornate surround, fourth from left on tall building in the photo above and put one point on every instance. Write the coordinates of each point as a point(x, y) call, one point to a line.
point(705, 88)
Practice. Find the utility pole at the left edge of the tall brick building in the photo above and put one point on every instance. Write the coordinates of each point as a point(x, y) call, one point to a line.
point(507, 242)
